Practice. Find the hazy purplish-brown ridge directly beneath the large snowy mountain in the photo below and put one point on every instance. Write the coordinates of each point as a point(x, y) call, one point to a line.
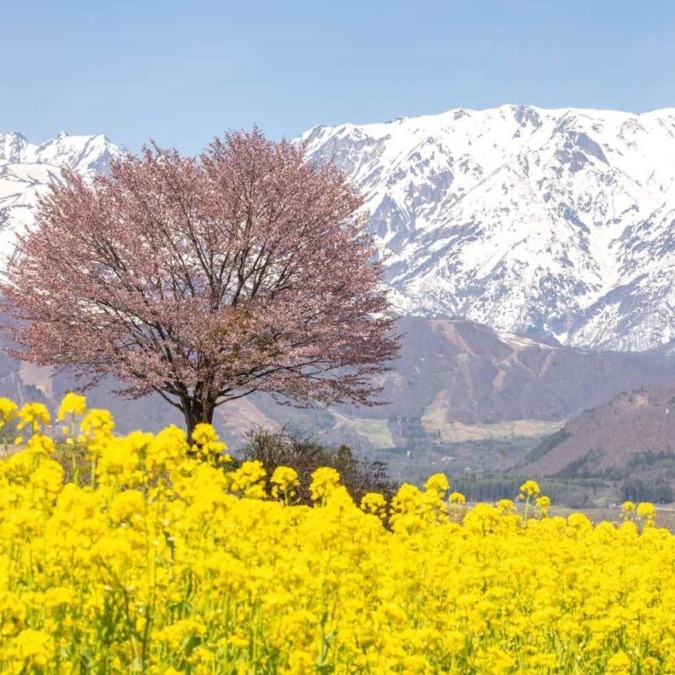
point(479, 376)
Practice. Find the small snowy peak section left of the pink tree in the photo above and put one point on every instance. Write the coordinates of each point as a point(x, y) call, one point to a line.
point(26, 170)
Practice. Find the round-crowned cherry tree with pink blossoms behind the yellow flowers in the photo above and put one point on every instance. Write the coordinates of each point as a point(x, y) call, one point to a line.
point(205, 279)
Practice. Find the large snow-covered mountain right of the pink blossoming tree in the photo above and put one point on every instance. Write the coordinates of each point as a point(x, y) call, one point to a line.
point(558, 224)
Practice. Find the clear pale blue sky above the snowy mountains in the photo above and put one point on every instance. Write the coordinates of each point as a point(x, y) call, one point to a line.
point(182, 72)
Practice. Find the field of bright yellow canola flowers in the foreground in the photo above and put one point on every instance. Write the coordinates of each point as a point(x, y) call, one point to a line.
point(156, 559)
